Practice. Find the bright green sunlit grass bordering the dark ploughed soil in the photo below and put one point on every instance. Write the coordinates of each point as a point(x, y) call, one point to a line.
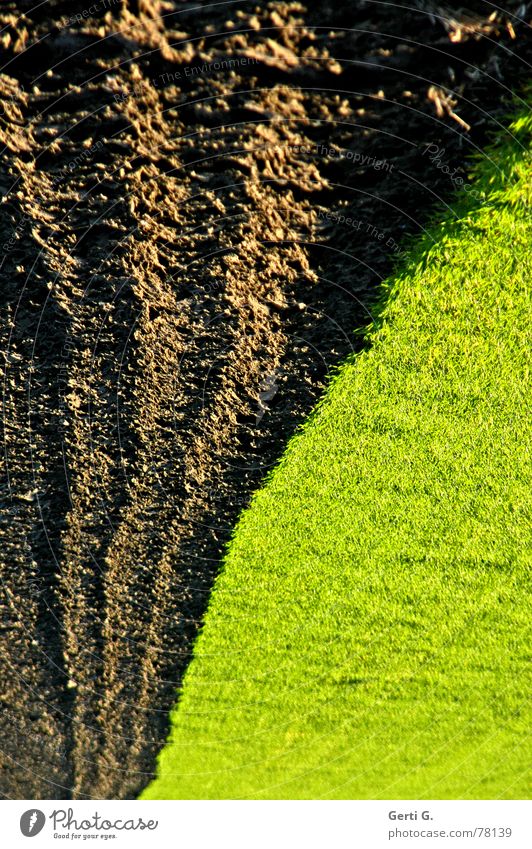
point(367, 637)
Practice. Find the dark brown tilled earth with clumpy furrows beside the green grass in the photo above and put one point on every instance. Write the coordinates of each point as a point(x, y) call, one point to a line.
point(199, 203)
